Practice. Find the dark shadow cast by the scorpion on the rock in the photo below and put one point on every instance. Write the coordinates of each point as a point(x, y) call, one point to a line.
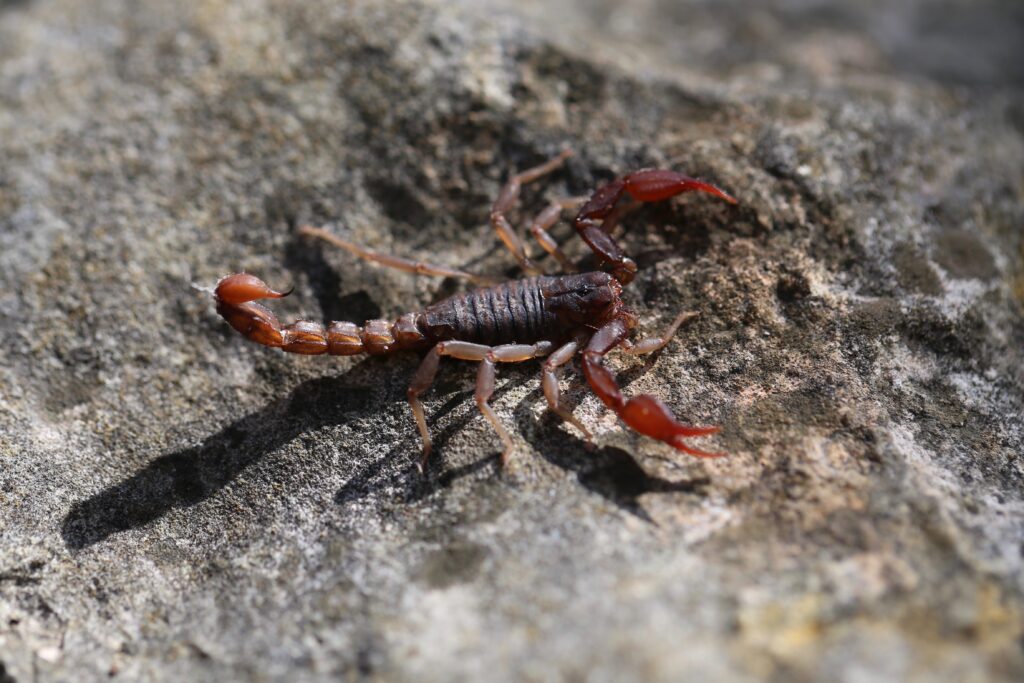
point(192, 476)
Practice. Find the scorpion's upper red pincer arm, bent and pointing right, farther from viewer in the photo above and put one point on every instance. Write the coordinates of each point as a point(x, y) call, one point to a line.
point(603, 211)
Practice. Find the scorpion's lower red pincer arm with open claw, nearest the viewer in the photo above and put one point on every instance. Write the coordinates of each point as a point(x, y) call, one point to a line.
point(646, 414)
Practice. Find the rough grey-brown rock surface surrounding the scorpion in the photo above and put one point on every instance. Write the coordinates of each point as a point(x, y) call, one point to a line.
point(179, 504)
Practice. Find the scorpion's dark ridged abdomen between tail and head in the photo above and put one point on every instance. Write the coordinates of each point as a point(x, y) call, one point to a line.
point(510, 313)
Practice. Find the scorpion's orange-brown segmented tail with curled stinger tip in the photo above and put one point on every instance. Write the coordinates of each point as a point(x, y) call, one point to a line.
point(236, 296)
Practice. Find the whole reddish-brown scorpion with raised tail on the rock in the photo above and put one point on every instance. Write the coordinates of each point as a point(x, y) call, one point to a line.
point(537, 317)
